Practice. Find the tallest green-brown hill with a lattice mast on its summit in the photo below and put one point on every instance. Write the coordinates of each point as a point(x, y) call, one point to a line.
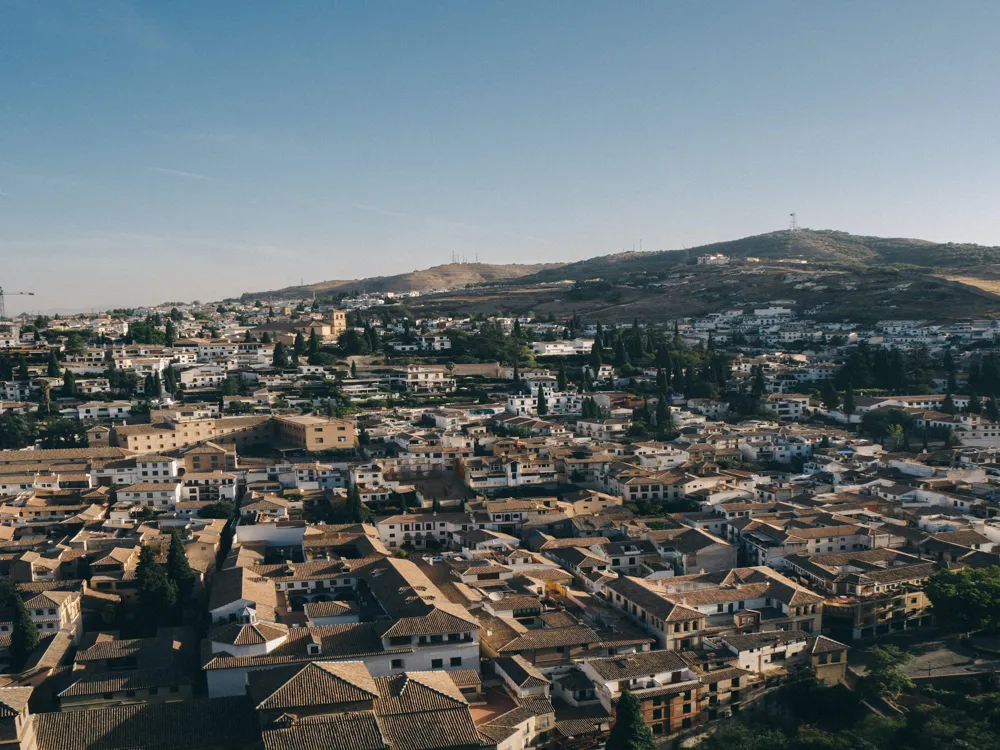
point(823, 248)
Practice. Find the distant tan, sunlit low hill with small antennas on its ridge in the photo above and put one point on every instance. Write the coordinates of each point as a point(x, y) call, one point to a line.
point(449, 276)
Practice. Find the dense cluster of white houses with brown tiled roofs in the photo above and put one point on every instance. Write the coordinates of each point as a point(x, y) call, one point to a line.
point(514, 566)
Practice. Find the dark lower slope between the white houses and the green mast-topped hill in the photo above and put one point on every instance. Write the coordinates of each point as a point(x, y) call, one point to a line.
point(827, 294)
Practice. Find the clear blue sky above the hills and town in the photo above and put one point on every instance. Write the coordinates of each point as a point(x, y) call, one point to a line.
point(183, 150)
